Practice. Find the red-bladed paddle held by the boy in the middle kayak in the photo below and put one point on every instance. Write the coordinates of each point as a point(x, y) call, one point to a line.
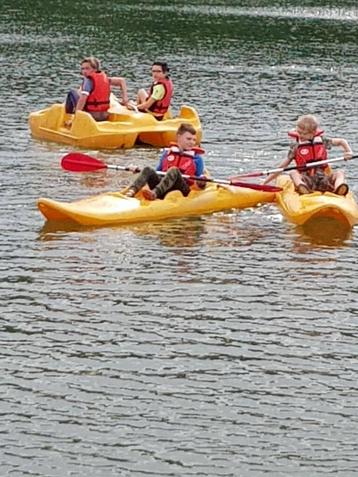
point(79, 162)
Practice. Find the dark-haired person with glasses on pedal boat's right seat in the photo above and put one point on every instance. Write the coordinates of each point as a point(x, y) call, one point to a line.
point(157, 100)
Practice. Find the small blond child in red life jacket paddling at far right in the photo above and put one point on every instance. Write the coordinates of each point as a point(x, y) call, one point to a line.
point(311, 146)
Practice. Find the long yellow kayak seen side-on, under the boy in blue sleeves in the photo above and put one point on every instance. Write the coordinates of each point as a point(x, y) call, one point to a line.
point(116, 208)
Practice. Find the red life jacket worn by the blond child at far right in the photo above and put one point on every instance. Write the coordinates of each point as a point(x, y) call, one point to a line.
point(310, 151)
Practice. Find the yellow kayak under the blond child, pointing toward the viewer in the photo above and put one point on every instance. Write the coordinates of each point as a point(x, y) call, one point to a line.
point(300, 209)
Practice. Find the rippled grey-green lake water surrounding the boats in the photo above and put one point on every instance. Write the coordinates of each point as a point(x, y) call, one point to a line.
point(224, 345)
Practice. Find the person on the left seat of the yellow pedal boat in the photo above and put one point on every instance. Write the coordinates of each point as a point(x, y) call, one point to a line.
point(94, 94)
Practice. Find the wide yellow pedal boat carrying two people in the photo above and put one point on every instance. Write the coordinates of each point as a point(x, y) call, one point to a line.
point(123, 130)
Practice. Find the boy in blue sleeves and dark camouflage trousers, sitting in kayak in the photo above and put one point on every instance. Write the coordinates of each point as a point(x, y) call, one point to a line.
point(180, 158)
